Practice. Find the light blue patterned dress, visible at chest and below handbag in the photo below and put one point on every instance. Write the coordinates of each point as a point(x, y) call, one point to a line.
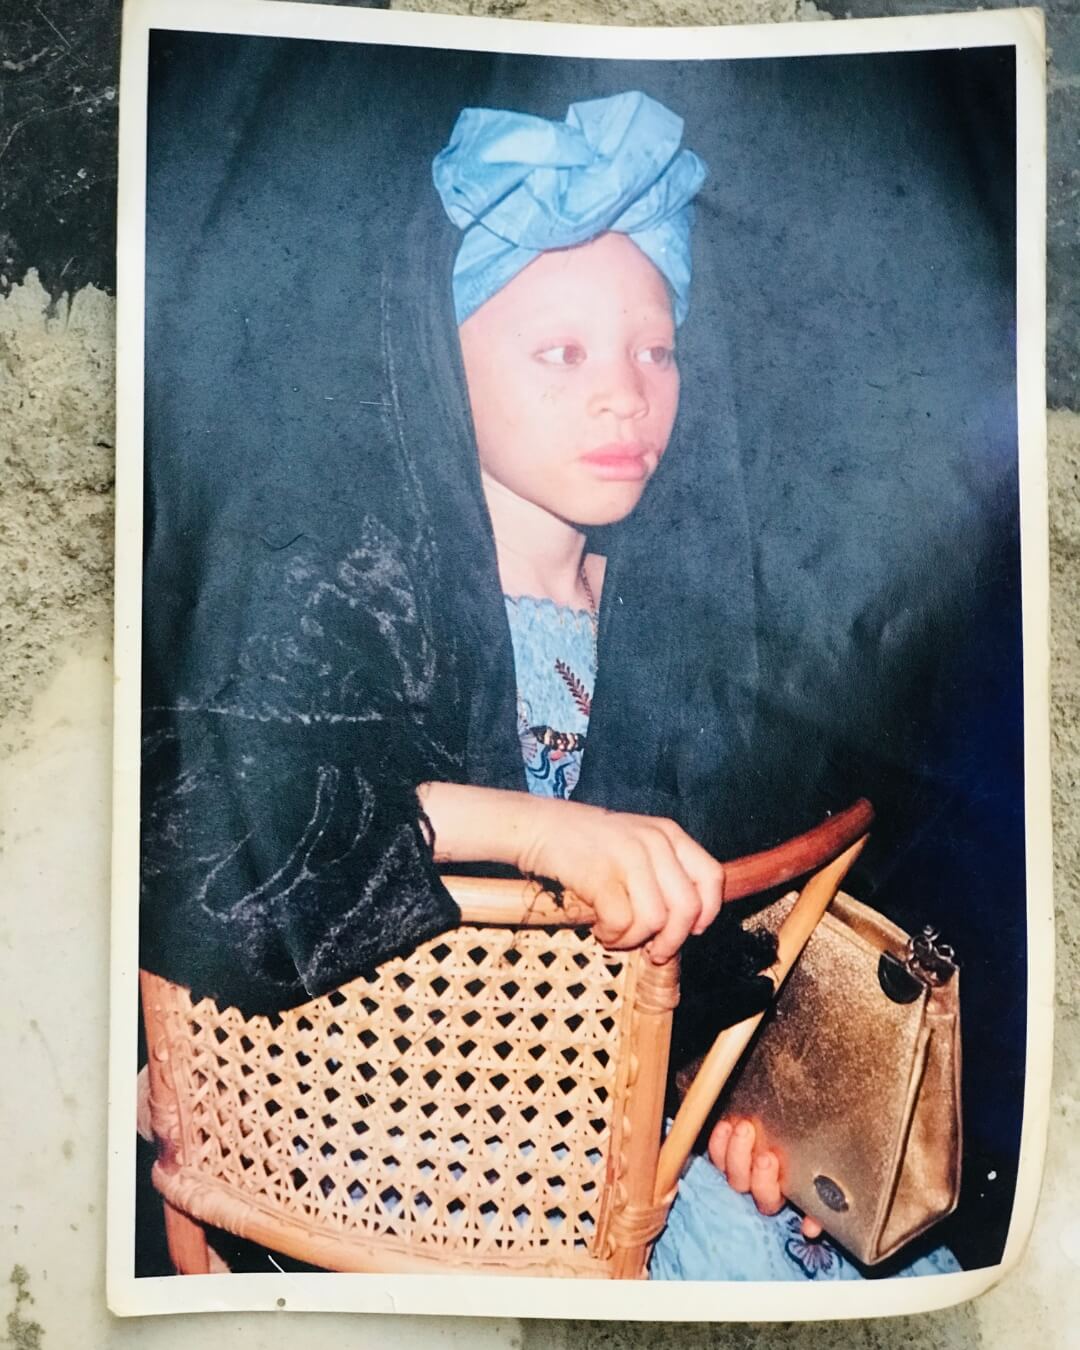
point(713, 1232)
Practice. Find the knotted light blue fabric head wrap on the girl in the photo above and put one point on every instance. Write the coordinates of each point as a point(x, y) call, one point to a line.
point(519, 186)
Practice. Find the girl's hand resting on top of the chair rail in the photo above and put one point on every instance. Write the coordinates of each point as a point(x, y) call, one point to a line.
point(643, 875)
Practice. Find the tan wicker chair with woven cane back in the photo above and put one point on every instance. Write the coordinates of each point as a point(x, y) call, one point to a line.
point(493, 1102)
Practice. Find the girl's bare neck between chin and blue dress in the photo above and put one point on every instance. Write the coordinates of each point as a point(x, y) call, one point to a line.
point(538, 553)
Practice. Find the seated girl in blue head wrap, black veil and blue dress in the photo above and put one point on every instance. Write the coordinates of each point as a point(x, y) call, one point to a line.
point(385, 707)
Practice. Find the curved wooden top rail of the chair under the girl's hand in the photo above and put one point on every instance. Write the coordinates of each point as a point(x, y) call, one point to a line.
point(526, 904)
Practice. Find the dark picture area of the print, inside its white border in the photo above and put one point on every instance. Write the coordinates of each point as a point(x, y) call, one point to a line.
point(583, 824)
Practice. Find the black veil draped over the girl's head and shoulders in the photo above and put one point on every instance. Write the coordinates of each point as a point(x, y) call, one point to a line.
point(333, 650)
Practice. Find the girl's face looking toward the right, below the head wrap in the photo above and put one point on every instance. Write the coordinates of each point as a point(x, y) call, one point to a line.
point(573, 380)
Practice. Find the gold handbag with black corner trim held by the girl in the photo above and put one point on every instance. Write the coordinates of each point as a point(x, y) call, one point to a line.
point(855, 1079)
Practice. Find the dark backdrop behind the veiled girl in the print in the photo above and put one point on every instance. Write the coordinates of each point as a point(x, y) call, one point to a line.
point(855, 248)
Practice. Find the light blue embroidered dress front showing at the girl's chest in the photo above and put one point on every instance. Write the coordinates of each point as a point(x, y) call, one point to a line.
point(556, 668)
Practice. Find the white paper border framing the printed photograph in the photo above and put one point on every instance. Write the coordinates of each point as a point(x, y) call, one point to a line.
point(507, 1297)
